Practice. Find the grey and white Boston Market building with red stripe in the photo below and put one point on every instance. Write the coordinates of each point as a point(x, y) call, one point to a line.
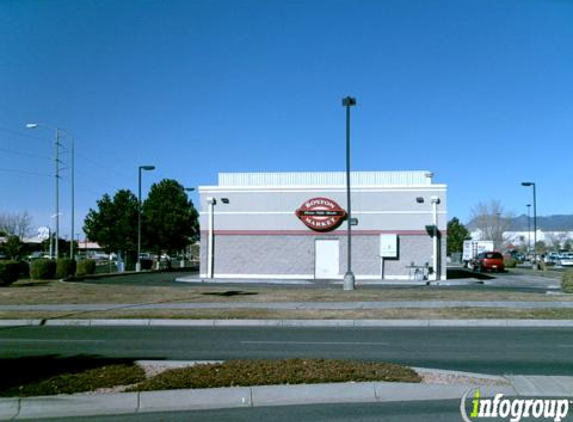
point(294, 226)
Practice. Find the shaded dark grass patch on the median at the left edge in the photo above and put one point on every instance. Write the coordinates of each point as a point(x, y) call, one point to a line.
point(69, 383)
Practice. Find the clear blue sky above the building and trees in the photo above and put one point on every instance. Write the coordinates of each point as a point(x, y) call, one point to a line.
point(480, 92)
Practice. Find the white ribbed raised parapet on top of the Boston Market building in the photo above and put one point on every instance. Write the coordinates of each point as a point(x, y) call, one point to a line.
point(326, 179)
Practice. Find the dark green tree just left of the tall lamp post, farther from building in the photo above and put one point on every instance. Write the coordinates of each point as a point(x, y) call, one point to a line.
point(114, 225)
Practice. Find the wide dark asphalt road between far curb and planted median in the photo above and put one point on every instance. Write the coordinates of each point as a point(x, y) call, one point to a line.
point(545, 351)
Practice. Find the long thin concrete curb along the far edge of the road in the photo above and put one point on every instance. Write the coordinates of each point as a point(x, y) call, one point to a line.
point(290, 323)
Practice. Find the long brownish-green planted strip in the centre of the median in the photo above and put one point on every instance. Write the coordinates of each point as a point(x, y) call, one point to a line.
point(243, 373)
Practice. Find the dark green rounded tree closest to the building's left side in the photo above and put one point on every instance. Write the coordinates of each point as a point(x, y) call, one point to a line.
point(170, 219)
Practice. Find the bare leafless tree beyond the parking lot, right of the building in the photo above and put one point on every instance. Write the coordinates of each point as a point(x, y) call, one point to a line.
point(492, 221)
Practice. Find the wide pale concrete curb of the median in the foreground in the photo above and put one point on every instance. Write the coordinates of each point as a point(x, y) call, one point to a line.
point(234, 397)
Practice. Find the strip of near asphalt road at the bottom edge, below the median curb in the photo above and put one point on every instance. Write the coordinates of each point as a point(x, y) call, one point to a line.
point(443, 411)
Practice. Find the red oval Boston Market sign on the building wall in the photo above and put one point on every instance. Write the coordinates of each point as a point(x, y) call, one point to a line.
point(321, 214)
